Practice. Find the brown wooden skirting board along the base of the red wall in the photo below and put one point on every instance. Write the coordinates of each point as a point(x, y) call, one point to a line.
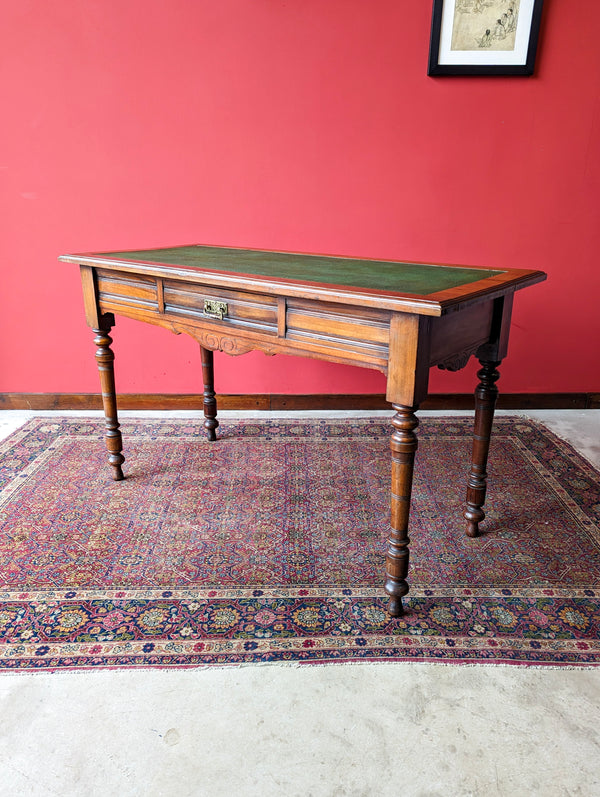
point(163, 401)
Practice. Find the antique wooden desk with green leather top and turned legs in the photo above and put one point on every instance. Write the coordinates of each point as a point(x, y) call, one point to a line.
point(401, 318)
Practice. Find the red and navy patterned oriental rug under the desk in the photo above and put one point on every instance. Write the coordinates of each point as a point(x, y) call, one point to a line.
point(268, 546)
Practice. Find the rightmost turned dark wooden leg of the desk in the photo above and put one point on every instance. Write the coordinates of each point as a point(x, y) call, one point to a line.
point(485, 403)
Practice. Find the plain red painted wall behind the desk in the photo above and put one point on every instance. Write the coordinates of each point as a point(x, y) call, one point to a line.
point(308, 126)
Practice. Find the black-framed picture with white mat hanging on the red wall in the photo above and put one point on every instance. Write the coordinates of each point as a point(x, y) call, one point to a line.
point(484, 37)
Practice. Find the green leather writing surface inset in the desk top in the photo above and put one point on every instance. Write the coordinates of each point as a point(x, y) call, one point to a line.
point(404, 278)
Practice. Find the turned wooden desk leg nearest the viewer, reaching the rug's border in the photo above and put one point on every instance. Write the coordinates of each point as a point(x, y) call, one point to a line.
point(404, 445)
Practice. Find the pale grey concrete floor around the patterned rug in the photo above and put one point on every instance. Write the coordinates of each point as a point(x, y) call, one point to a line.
point(322, 731)
